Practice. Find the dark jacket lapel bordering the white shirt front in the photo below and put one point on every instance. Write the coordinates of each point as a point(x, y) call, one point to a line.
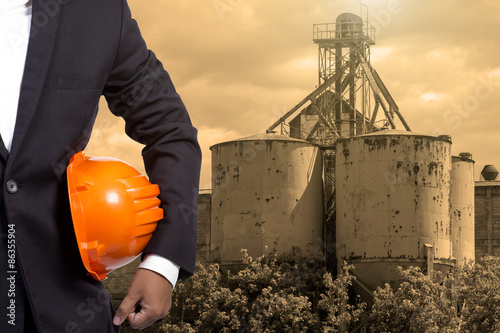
point(44, 23)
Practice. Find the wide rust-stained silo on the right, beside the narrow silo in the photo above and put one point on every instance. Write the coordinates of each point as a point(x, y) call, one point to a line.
point(393, 203)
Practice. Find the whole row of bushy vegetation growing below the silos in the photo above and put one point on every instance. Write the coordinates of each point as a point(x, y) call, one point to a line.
point(273, 294)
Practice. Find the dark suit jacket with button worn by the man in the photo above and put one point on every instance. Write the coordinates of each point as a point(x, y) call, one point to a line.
point(79, 50)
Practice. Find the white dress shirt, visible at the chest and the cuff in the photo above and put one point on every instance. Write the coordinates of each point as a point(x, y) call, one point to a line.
point(15, 23)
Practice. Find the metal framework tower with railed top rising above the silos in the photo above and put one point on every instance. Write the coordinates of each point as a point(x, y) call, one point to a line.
point(350, 93)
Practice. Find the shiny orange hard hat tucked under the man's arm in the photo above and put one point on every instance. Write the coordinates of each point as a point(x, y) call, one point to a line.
point(114, 209)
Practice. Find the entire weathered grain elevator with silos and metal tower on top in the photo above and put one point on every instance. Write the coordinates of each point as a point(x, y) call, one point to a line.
point(341, 175)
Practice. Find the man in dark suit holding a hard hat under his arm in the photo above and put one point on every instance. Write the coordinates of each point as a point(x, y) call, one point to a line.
point(58, 58)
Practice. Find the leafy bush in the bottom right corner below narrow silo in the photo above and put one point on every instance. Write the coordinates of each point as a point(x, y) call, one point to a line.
point(466, 300)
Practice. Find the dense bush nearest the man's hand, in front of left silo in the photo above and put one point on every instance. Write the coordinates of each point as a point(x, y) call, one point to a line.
point(269, 294)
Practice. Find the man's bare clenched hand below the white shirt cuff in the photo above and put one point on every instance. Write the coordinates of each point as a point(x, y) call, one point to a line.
point(148, 299)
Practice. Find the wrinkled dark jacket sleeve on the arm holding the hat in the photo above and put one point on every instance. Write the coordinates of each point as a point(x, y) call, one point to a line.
point(140, 90)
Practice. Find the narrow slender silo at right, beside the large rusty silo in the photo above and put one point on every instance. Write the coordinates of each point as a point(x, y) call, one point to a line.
point(462, 208)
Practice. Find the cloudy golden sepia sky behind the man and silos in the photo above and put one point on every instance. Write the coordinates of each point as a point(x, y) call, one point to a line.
point(241, 64)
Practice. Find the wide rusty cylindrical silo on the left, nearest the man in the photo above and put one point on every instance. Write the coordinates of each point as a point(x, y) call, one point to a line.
point(266, 194)
